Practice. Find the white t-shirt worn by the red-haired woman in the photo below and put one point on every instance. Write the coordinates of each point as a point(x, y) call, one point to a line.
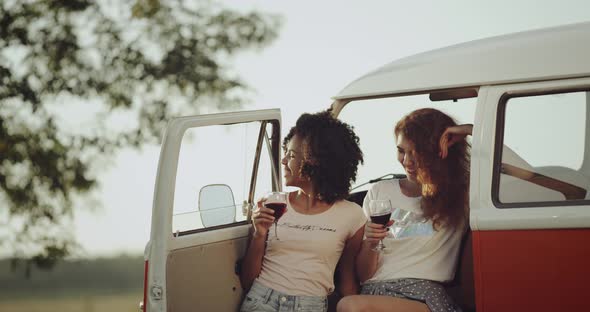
point(420, 251)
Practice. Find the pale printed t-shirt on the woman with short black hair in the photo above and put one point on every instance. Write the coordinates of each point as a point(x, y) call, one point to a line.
point(303, 261)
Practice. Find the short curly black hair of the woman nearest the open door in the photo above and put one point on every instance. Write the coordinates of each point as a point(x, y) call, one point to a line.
point(331, 154)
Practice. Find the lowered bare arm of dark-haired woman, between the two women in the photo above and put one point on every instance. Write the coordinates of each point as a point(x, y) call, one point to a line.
point(348, 284)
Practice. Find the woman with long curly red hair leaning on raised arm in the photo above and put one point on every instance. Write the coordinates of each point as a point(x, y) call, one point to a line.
point(408, 275)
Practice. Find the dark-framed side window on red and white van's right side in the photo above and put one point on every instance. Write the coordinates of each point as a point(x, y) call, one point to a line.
point(540, 150)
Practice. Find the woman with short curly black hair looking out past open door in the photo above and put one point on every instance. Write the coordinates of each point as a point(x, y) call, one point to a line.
point(320, 228)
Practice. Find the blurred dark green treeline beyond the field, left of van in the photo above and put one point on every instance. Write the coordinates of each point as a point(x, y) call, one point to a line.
point(74, 277)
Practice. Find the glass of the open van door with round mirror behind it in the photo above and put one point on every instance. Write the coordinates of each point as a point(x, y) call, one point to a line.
point(214, 172)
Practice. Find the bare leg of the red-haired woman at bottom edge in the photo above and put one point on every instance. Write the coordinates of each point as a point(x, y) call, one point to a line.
point(366, 303)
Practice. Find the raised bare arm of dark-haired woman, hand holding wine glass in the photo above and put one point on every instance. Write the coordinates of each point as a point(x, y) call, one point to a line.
point(262, 219)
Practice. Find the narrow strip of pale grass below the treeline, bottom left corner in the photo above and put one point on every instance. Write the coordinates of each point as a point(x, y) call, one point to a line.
point(123, 302)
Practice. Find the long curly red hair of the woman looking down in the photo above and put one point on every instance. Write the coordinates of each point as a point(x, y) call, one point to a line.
point(445, 182)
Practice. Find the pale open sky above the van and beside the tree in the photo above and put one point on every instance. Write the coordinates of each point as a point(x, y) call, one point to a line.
point(322, 46)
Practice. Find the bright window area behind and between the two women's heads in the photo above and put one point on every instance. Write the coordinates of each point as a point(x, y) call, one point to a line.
point(374, 121)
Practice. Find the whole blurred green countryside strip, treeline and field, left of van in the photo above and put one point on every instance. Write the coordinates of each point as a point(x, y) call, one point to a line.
point(84, 285)
